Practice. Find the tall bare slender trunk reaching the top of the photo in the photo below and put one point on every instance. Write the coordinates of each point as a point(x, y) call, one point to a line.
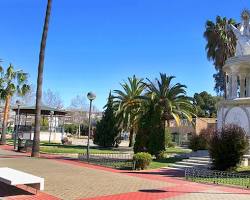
point(36, 139)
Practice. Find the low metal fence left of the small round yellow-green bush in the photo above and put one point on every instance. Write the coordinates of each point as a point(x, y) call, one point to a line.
point(116, 160)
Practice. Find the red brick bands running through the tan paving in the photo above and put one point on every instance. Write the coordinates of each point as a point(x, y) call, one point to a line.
point(181, 187)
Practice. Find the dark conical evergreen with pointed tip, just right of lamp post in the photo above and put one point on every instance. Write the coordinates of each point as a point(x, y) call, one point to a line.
point(107, 132)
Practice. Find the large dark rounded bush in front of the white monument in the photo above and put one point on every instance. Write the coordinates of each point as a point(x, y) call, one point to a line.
point(227, 147)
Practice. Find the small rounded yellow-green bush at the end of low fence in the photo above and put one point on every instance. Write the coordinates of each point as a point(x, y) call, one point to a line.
point(142, 160)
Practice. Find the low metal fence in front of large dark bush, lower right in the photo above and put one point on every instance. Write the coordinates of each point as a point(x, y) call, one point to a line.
point(218, 177)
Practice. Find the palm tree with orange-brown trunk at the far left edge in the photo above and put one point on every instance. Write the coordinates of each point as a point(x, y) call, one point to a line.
point(12, 82)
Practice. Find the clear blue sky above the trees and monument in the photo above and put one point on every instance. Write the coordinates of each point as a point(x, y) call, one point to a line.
point(94, 45)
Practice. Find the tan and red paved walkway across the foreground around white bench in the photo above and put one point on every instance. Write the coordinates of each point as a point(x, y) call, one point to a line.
point(70, 180)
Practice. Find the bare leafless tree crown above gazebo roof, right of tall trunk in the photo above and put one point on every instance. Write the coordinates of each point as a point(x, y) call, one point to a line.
point(52, 99)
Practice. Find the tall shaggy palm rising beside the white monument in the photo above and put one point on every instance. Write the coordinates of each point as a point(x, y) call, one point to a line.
point(221, 44)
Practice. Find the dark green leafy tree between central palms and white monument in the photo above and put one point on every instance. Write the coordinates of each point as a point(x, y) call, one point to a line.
point(205, 104)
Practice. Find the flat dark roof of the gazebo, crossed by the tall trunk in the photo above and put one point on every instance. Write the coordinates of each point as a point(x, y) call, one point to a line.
point(45, 110)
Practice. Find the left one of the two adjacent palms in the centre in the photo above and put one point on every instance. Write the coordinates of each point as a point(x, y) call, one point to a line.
point(128, 103)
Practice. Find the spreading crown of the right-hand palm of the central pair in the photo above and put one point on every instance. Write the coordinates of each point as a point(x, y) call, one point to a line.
point(171, 99)
